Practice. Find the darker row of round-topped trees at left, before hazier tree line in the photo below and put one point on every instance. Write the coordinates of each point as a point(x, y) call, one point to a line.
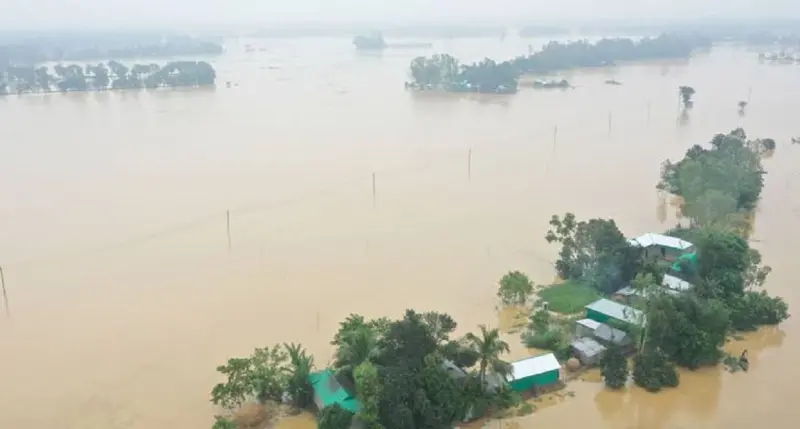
point(112, 75)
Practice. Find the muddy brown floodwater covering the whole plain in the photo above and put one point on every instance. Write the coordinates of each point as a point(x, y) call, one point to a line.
point(124, 295)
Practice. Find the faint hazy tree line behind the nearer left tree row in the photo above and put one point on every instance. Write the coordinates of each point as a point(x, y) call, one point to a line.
point(21, 49)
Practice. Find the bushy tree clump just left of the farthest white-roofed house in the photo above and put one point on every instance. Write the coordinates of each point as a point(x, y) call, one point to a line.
point(594, 252)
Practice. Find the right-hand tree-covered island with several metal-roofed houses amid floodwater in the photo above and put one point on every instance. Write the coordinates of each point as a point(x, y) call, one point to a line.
point(670, 300)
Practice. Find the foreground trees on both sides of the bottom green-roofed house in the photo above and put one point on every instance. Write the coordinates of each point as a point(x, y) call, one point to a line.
point(402, 372)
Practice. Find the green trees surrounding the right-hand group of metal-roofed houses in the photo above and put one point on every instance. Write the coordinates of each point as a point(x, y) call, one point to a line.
point(720, 187)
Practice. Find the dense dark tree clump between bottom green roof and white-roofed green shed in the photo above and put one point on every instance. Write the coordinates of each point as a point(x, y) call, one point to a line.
point(403, 369)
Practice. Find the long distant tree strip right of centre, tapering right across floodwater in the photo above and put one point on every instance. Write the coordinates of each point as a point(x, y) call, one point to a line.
point(442, 71)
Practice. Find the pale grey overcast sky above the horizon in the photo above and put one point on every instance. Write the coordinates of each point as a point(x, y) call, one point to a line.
point(21, 14)
